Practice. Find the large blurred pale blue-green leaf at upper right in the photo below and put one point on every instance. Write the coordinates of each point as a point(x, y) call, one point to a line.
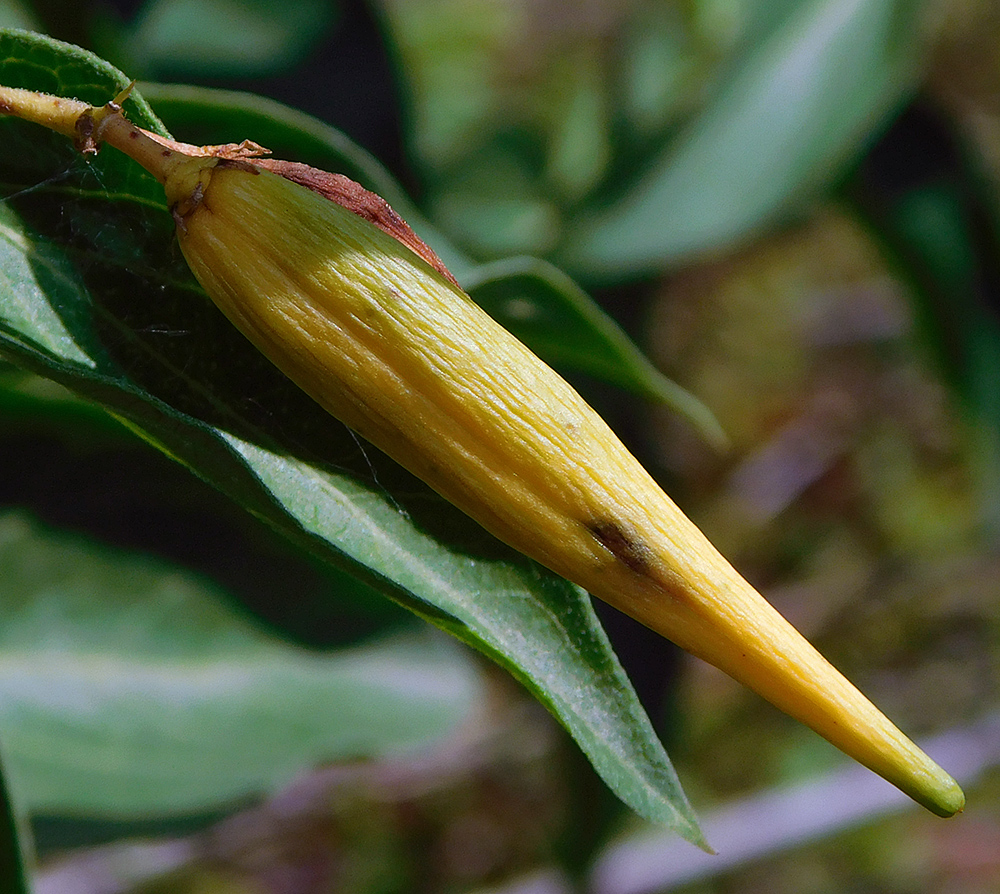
point(799, 107)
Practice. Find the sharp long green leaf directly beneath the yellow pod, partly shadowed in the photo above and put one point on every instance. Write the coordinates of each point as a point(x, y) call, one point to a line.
point(122, 322)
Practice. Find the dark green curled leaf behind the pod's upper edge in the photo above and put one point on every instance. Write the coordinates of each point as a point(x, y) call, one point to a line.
point(540, 305)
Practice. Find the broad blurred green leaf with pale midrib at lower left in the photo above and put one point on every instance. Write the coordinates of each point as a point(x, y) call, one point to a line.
point(128, 687)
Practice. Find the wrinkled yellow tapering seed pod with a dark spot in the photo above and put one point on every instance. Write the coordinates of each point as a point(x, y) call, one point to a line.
point(340, 295)
